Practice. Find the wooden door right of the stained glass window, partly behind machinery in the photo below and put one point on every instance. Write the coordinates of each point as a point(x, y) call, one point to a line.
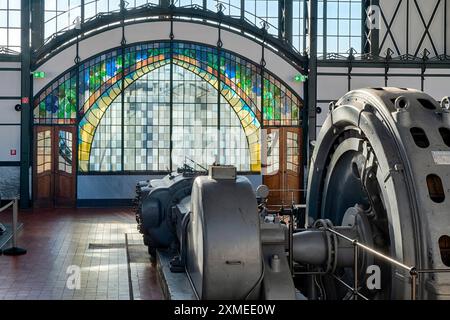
point(282, 169)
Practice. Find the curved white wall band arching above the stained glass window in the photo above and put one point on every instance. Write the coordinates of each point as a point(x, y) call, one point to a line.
point(152, 31)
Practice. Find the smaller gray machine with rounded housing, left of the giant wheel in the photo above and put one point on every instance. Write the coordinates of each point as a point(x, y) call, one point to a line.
point(216, 232)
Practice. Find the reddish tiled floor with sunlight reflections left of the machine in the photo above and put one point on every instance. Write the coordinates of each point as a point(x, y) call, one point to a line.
point(59, 238)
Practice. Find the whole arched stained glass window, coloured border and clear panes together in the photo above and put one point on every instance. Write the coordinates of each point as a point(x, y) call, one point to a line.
point(125, 111)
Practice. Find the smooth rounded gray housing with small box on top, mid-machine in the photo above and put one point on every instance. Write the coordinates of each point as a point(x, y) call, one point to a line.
point(224, 259)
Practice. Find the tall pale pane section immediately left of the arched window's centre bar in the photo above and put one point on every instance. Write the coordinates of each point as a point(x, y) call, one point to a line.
point(147, 122)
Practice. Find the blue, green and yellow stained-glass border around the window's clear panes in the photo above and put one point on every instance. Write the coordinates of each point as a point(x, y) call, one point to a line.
point(254, 95)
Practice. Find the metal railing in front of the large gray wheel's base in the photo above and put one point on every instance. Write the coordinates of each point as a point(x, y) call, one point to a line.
point(412, 270)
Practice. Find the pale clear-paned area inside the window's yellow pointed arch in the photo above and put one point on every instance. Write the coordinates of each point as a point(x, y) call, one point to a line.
point(147, 130)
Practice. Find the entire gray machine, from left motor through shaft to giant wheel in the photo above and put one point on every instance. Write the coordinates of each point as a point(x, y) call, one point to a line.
point(379, 175)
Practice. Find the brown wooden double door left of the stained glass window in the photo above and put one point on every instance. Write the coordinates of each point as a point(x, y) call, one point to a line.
point(54, 171)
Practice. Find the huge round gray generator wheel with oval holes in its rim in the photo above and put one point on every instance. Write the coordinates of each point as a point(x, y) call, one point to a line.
point(386, 153)
